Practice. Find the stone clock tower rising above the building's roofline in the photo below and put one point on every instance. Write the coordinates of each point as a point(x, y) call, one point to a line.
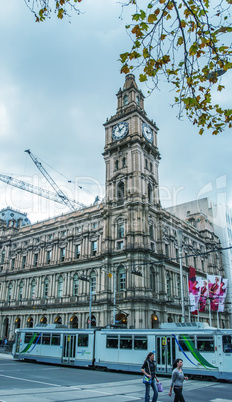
point(131, 154)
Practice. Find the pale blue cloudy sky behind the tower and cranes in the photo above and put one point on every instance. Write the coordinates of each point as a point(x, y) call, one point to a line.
point(58, 82)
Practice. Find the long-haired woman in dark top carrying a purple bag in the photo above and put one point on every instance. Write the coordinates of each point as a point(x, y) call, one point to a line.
point(148, 369)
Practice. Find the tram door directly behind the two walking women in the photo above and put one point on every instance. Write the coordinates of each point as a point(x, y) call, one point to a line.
point(165, 353)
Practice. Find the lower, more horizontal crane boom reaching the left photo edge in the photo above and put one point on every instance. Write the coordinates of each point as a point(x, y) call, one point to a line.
point(39, 191)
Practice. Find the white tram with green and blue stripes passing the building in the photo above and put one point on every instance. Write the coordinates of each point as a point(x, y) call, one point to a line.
point(205, 351)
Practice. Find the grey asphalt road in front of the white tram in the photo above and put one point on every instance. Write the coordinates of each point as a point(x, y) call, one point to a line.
point(24, 382)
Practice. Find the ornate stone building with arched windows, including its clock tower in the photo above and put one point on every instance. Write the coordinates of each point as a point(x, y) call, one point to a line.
point(116, 261)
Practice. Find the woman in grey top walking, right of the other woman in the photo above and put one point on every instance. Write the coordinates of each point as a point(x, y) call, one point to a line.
point(177, 381)
